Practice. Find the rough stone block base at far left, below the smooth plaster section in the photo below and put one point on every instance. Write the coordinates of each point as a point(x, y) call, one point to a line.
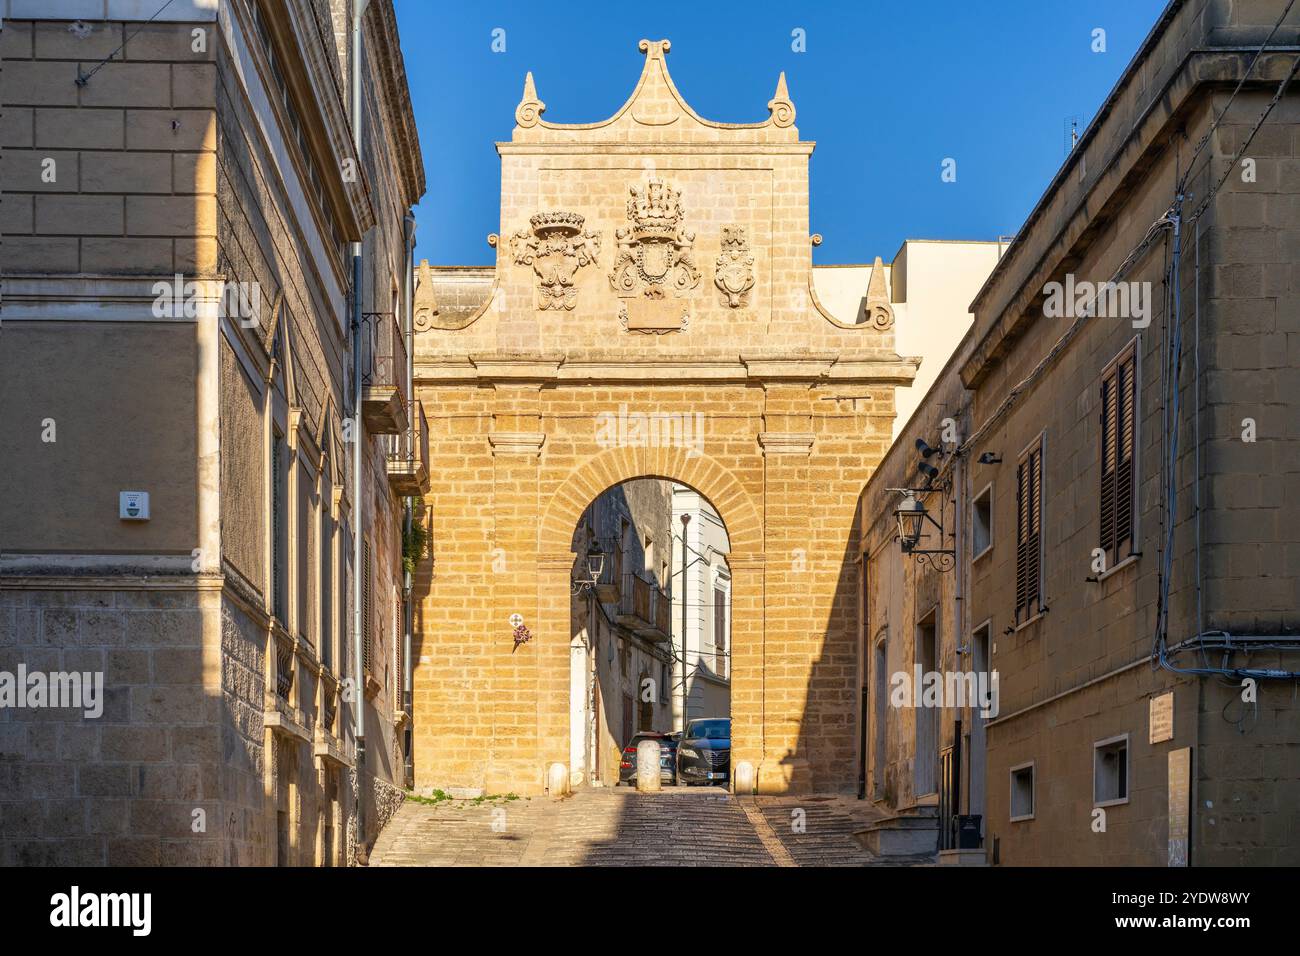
point(120, 789)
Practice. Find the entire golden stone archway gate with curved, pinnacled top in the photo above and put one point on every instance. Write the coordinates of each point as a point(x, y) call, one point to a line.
point(652, 313)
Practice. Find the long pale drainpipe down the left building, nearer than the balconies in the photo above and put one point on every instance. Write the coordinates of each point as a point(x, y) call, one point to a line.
point(358, 505)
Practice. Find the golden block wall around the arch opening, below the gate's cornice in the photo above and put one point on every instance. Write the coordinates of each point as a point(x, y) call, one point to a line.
point(505, 522)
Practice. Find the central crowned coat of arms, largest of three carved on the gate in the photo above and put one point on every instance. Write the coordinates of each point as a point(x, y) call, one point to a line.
point(657, 252)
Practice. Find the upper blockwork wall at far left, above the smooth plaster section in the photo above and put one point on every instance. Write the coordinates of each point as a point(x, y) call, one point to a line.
point(114, 176)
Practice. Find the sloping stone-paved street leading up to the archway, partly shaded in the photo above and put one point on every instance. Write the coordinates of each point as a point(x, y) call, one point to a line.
point(622, 828)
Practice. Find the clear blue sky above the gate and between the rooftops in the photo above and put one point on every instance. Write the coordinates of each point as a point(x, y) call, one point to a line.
point(889, 92)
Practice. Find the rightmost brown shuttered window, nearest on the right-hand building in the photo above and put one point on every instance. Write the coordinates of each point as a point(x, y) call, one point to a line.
point(1119, 440)
